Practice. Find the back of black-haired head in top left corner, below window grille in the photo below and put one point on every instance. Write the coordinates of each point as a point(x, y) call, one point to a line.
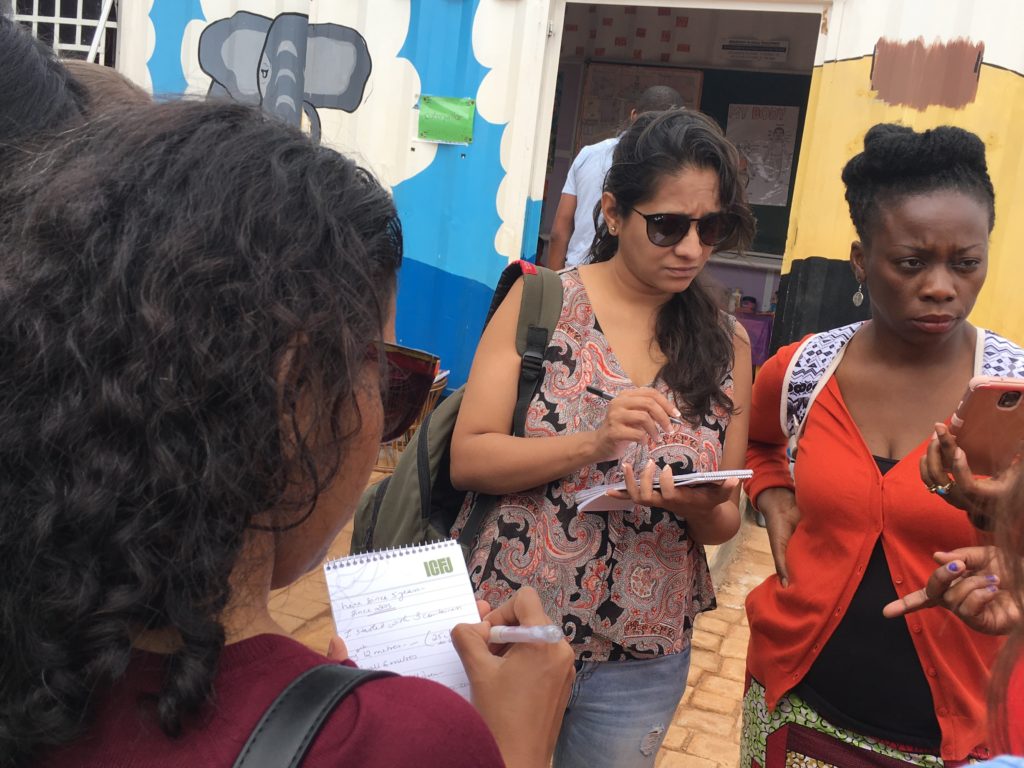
point(36, 94)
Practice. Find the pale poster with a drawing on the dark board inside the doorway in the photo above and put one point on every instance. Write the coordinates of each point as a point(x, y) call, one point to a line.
point(766, 137)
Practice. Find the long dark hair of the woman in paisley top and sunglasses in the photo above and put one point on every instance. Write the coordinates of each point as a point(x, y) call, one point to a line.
point(690, 330)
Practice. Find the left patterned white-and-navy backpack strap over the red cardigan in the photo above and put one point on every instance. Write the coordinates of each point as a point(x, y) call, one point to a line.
point(808, 373)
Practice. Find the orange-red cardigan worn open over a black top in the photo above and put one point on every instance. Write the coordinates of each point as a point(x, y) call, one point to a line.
point(846, 505)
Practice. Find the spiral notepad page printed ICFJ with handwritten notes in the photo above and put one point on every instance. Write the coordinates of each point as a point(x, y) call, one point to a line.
point(396, 610)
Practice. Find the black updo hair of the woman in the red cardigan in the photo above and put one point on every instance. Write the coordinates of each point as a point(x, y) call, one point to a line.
point(899, 162)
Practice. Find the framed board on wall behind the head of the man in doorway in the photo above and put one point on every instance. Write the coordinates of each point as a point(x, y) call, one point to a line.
point(611, 92)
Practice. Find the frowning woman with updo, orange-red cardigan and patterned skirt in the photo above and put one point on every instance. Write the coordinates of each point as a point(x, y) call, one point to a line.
point(852, 528)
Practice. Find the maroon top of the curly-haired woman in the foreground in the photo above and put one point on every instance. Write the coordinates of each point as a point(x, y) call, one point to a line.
point(390, 722)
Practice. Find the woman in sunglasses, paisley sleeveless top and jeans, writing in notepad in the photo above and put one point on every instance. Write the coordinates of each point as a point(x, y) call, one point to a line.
point(638, 327)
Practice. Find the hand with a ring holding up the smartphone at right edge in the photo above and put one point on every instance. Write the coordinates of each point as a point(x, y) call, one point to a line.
point(946, 472)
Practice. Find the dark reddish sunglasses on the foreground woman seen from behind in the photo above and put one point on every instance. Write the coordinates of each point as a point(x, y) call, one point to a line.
point(405, 388)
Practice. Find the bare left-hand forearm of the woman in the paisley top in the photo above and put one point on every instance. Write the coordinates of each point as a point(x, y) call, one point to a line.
point(503, 464)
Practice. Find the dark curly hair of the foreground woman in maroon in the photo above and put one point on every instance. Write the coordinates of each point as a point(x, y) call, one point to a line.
point(159, 267)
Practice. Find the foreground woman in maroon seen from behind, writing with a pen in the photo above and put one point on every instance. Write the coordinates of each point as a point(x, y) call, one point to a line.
point(193, 301)
